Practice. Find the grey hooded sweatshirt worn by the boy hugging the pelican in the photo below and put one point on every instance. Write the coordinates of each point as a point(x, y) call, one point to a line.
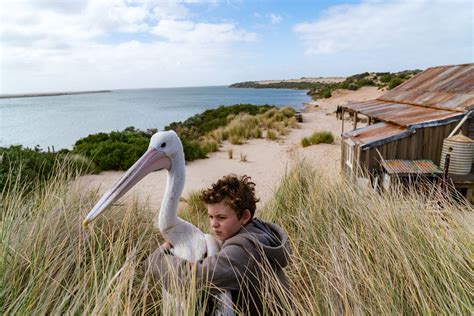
point(250, 264)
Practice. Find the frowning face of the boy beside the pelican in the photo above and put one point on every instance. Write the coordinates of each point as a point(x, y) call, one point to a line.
point(224, 221)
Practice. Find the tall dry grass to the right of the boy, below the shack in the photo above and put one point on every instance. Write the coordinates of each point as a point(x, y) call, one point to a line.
point(361, 252)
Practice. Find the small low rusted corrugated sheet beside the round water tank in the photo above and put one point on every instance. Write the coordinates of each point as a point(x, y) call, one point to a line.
point(406, 167)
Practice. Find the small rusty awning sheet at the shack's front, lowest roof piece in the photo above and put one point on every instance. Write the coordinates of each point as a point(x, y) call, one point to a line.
point(377, 134)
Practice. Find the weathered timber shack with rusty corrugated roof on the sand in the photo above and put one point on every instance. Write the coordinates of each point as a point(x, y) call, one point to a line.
point(411, 121)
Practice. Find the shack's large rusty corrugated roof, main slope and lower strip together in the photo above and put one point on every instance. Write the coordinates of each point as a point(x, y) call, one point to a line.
point(436, 96)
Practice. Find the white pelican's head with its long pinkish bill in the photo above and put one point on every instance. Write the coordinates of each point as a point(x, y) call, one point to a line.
point(164, 152)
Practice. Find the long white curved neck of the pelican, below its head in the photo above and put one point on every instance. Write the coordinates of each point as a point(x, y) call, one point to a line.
point(176, 178)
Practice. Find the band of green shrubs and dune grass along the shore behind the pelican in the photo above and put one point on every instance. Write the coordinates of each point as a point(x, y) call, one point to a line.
point(201, 134)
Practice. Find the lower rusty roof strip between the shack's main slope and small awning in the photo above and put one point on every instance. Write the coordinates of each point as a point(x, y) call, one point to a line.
point(410, 116)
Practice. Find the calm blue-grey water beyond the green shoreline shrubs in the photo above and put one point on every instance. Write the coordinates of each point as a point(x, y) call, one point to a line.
point(60, 121)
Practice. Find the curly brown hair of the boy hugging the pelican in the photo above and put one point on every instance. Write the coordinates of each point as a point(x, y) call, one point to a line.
point(236, 192)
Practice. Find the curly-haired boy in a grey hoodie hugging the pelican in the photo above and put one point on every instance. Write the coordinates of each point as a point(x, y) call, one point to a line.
point(252, 251)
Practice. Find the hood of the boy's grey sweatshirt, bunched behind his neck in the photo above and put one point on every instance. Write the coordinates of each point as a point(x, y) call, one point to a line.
point(269, 237)
